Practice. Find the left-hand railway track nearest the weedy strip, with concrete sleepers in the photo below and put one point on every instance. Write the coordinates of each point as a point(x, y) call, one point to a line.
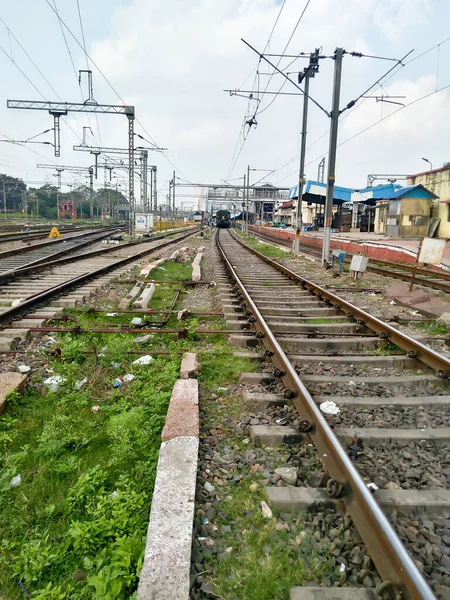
point(24, 293)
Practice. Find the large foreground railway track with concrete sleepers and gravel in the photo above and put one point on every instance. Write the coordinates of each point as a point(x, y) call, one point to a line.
point(391, 392)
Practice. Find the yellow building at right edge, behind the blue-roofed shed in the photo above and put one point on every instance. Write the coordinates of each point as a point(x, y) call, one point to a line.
point(437, 181)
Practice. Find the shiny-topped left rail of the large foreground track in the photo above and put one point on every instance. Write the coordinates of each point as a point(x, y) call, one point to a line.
point(385, 548)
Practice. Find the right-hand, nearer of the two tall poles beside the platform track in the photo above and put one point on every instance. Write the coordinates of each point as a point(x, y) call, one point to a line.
point(328, 215)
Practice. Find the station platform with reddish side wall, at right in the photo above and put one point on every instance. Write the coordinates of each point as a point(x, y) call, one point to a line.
point(375, 246)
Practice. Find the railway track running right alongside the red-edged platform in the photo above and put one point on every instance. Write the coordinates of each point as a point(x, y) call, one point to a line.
point(438, 280)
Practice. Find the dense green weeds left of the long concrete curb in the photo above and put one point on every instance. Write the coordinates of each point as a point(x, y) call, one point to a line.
point(82, 509)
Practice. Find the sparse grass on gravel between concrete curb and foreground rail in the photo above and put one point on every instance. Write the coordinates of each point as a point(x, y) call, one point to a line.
point(254, 561)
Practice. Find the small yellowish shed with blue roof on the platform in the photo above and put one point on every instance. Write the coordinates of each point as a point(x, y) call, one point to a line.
point(405, 212)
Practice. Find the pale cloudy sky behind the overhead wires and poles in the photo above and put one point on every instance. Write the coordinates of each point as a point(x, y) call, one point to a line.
point(172, 59)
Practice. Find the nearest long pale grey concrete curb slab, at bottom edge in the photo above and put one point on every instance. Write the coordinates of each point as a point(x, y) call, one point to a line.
point(167, 561)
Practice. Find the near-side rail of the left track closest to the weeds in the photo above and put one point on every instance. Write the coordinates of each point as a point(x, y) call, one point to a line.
point(22, 309)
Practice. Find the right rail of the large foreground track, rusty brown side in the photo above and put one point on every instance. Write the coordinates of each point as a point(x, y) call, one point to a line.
point(413, 348)
